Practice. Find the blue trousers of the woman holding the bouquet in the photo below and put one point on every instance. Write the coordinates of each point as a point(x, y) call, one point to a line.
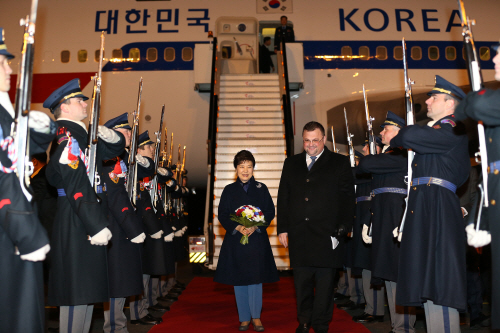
point(249, 301)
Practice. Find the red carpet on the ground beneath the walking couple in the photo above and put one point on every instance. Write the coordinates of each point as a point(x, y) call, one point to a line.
point(206, 306)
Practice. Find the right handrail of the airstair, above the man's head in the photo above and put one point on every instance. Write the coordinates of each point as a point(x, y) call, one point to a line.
point(285, 97)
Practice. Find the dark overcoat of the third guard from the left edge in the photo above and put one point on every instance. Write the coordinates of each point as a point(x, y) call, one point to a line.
point(124, 257)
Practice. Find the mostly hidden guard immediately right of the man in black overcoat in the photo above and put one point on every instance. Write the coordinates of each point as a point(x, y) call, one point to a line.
point(373, 294)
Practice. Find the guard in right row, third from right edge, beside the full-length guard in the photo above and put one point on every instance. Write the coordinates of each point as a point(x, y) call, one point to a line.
point(389, 190)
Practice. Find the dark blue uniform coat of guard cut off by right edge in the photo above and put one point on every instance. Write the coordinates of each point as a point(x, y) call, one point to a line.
point(485, 105)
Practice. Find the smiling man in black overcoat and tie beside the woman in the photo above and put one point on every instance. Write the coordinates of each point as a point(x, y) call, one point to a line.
point(315, 211)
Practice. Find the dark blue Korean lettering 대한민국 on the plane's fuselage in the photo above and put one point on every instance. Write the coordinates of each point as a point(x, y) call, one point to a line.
point(141, 21)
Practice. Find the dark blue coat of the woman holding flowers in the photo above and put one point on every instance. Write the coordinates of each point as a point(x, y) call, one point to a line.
point(253, 263)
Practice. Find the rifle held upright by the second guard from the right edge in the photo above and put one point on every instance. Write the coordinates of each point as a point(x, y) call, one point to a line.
point(410, 120)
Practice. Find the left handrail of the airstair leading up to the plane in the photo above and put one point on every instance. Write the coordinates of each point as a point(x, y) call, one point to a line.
point(212, 145)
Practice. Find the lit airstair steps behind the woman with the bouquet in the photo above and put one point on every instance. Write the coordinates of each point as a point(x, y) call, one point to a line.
point(251, 118)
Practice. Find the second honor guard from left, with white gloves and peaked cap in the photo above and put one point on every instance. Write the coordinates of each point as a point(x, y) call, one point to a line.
point(79, 274)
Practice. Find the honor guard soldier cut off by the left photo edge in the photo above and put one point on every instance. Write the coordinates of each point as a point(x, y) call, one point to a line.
point(23, 240)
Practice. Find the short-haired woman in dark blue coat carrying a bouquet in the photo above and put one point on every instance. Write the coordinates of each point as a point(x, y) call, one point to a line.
point(246, 267)
